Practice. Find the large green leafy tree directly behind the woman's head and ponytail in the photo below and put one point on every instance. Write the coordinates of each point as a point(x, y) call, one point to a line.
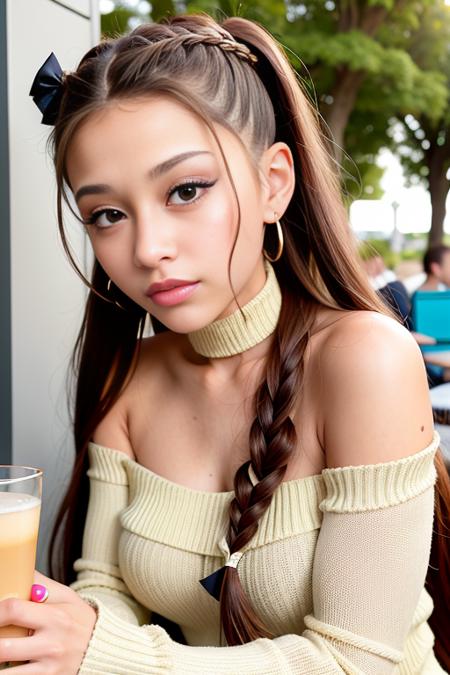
point(354, 63)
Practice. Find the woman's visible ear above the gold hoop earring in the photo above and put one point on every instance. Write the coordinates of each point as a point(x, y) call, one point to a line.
point(277, 166)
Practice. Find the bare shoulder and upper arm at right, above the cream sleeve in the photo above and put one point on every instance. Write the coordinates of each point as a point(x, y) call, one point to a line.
point(375, 397)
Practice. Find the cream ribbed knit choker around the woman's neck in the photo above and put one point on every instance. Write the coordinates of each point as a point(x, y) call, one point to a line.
point(233, 335)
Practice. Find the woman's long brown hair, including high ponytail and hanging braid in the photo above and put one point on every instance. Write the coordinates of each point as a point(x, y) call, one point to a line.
point(210, 69)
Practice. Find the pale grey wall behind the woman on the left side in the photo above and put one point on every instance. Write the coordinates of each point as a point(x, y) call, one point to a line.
point(45, 296)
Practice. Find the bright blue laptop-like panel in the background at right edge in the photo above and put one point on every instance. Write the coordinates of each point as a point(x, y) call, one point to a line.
point(431, 316)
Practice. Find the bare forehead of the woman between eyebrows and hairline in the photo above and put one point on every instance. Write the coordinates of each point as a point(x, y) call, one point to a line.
point(126, 130)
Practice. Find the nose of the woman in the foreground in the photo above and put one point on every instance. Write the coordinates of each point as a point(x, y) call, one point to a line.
point(154, 241)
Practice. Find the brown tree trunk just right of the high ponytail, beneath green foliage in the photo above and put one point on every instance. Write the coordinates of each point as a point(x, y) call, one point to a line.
point(344, 93)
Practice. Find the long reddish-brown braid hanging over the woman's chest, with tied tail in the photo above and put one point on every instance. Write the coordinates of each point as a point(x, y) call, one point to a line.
point(272, 440)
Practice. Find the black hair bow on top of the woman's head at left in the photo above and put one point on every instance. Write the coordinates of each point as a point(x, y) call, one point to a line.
point(47, 89)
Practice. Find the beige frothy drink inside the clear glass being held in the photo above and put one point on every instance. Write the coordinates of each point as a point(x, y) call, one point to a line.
point(19, 526)
